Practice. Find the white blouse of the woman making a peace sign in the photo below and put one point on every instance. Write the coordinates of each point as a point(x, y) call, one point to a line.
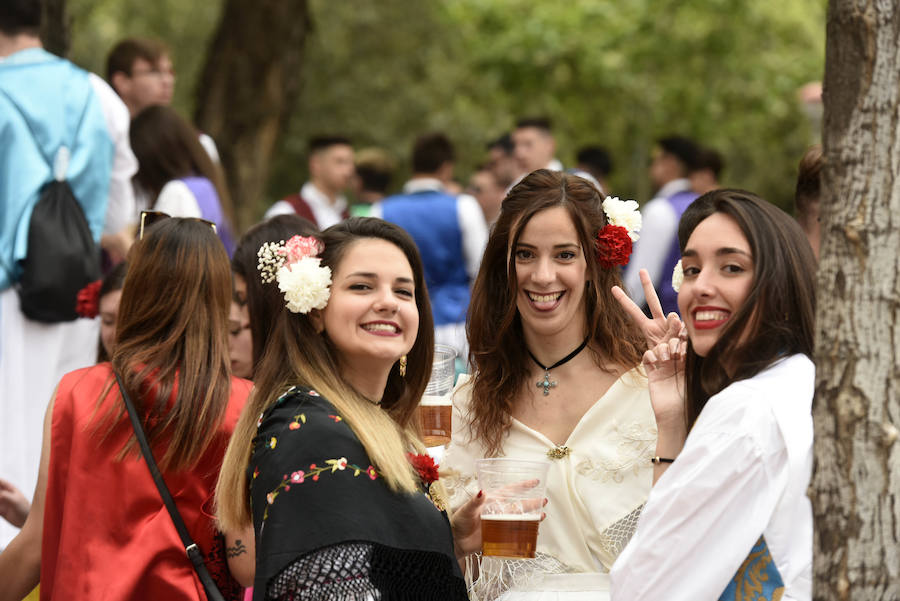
point(743, 473)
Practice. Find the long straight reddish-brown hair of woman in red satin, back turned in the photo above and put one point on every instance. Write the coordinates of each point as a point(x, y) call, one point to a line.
point(172, 338)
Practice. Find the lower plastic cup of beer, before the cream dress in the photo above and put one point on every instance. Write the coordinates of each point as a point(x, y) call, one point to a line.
point(514, 492)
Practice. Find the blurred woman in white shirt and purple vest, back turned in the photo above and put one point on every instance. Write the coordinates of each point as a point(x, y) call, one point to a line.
point(176, 175)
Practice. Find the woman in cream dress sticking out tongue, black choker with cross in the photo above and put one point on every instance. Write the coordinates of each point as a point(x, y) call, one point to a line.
point(556, 375)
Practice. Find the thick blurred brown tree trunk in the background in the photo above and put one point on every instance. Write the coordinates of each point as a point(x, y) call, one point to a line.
point(248, 88)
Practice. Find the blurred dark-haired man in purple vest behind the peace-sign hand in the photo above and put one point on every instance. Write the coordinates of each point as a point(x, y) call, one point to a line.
point(674, 157)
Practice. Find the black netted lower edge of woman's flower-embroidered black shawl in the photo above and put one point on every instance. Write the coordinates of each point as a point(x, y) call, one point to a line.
point(361, 571)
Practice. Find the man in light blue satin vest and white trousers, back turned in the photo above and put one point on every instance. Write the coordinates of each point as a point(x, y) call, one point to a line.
point(47, 103)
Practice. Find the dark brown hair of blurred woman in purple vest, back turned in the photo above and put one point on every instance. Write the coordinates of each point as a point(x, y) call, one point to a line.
point(167, 147)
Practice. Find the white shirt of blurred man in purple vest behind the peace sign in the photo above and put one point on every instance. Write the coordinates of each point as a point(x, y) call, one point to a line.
point(658, 230)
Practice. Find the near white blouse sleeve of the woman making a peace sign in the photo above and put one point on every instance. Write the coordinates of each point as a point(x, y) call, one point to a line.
point(706, 512)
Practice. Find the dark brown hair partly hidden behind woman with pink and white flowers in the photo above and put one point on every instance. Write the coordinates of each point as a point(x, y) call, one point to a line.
point(264, 302)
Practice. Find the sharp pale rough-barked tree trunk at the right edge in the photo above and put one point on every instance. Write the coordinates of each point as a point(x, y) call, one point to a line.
point(856, 481)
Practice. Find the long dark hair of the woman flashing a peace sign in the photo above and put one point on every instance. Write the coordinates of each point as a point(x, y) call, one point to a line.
point(778, 317)
